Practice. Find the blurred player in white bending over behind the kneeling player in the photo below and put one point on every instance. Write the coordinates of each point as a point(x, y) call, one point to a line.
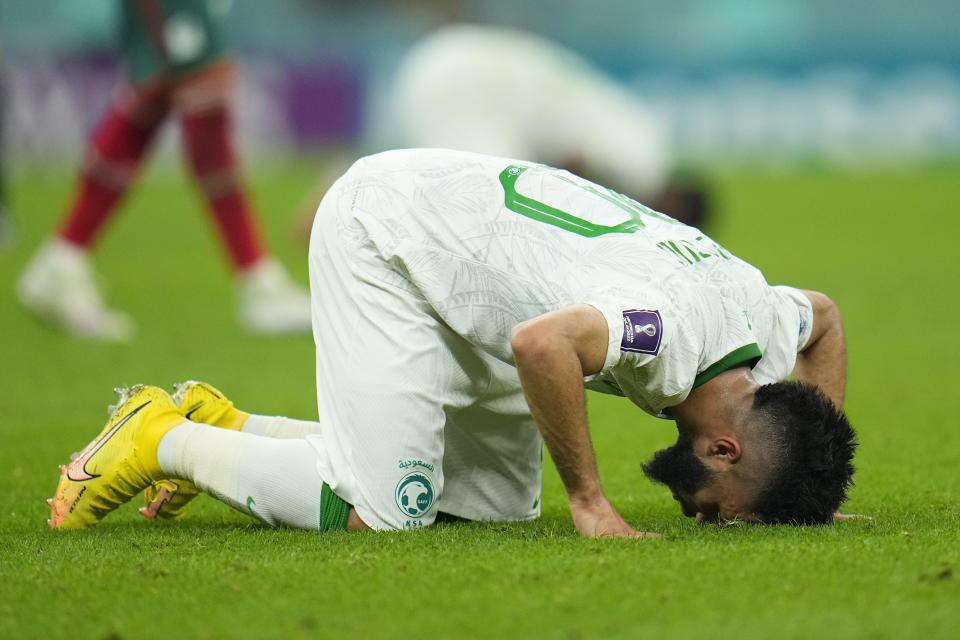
point(507, 92)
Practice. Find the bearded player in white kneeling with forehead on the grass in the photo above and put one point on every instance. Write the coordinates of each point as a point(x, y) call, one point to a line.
point(462, 303)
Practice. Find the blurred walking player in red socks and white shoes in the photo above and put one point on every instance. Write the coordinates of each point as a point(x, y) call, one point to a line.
point(174, 55)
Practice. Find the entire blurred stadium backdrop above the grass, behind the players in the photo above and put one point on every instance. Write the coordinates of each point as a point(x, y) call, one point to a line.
point(852, 82)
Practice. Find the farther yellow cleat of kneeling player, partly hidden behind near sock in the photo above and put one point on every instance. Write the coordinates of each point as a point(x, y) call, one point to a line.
point(200, 402)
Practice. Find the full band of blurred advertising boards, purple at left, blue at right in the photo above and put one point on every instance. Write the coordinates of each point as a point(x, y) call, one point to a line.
point(848, 114)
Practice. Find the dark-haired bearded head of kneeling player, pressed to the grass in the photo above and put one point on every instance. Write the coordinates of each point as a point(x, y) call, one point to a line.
point(793, 466)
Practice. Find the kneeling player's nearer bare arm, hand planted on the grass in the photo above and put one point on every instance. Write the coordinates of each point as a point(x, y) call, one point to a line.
point(553, 353)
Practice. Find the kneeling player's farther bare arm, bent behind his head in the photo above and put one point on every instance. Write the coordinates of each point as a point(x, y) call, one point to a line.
point(823, 361)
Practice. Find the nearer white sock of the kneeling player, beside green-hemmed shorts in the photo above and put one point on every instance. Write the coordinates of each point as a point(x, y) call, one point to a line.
point(272, 479)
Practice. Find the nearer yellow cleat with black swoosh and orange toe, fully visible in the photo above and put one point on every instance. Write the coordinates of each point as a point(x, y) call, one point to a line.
point(118, 463)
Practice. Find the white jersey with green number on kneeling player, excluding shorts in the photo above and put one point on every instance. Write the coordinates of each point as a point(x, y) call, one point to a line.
point(491, 242)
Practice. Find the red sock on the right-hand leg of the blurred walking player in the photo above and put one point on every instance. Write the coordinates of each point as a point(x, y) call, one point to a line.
point(206, 137)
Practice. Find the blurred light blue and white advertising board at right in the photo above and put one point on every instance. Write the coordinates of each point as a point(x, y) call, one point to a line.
point(841, 114)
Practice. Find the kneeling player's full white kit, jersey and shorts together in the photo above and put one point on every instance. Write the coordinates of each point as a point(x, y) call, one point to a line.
point(422, 261)
